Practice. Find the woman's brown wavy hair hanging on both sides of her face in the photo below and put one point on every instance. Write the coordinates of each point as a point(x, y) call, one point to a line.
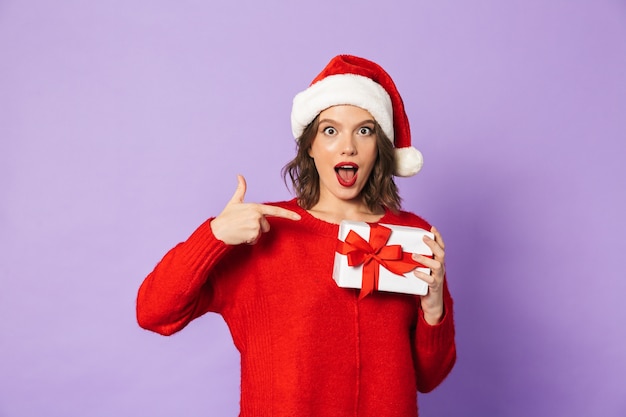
point(380, 190)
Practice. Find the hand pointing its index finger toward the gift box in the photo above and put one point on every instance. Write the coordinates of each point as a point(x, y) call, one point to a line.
point(241, 222)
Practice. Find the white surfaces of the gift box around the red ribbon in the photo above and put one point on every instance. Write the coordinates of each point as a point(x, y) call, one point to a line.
point(411, 240)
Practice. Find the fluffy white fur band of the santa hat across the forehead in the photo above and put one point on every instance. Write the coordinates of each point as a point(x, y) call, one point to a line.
point(341, 89)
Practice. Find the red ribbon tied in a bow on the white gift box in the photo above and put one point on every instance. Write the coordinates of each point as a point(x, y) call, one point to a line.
point(374, 254)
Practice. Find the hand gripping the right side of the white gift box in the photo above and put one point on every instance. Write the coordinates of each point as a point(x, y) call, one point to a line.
point(432, 303)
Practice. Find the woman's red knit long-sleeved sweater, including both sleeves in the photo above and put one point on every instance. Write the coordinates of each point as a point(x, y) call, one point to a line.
point(308, 347)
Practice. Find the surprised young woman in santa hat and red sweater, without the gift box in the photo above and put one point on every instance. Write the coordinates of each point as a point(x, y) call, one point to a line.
point(309, 347)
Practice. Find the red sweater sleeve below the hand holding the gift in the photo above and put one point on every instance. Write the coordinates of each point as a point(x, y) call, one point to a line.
point(435, 347)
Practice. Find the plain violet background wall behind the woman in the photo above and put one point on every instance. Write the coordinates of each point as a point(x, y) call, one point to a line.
point(124, 123)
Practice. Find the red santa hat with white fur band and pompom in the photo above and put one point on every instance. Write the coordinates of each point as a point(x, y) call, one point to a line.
point(356, 81)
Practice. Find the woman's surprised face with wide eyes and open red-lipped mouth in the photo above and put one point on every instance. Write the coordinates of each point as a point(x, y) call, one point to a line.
point(344, 151)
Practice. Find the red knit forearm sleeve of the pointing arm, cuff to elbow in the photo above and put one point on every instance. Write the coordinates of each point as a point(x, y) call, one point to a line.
point(176, 291)
